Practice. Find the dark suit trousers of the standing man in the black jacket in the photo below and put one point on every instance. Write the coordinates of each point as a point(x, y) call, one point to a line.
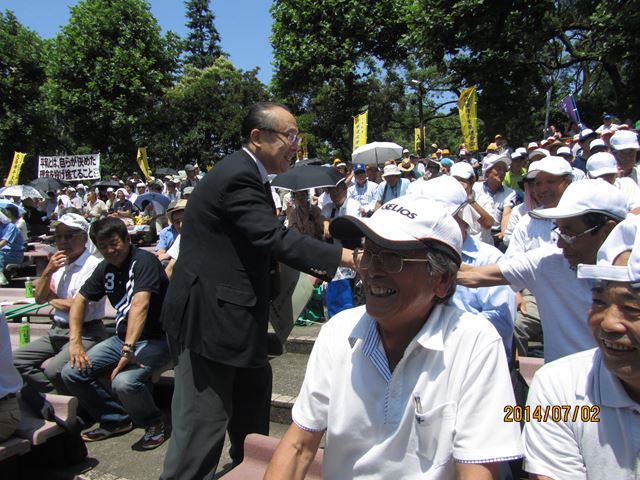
point(210, 398)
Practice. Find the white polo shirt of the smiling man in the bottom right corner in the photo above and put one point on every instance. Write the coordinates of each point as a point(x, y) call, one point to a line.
point(580, 450)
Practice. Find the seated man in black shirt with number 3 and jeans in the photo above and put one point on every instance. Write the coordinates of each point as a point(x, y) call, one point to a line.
point(135, 283)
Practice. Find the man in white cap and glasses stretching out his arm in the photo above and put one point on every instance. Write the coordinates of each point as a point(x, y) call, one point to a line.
point(585, 215)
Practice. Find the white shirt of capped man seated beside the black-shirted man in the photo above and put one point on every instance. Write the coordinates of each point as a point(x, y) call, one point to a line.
point(67, 281)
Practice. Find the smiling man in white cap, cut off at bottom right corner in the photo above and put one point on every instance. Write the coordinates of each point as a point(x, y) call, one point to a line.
point(595, 394)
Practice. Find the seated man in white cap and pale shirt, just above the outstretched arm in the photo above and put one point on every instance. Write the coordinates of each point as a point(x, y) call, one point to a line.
point(492, 195)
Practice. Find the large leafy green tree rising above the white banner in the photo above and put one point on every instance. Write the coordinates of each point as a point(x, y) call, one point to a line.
point(108, 69)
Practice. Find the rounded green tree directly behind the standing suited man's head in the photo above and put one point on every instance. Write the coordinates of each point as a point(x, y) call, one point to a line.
point(201, 115)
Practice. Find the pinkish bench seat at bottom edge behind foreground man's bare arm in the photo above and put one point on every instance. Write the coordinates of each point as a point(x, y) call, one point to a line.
point(258, 450)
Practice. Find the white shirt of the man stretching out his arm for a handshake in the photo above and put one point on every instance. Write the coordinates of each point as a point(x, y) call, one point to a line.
point(563, 298)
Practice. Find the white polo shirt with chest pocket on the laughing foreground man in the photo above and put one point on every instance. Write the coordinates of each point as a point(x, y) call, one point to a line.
point(444, 401)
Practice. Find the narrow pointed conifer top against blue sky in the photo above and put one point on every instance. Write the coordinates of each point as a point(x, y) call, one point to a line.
point(203, 41)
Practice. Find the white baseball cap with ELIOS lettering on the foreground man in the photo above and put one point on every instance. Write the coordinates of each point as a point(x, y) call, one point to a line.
point(405, 223)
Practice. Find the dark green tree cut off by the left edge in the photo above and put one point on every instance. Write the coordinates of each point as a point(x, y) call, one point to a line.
point(23, 116)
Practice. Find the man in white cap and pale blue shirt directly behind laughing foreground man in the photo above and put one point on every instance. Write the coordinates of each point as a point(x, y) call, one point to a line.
point(496, 304)
